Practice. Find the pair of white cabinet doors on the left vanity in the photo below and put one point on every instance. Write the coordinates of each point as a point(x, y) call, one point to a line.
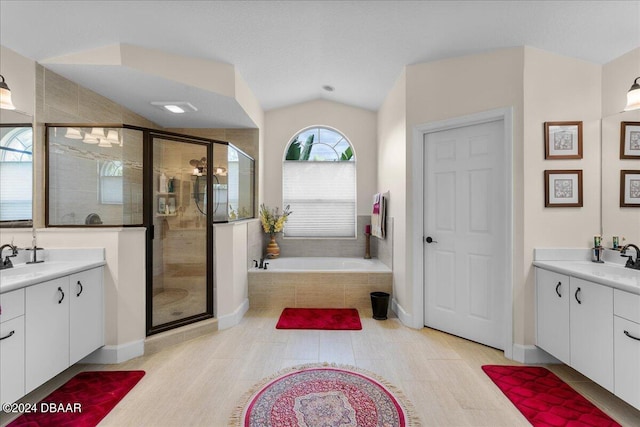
point(64, 323)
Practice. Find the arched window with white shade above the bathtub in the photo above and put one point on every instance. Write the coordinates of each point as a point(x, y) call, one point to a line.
point(319, 183)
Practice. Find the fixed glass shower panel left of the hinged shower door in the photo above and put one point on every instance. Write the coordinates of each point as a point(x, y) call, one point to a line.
point(94, 176)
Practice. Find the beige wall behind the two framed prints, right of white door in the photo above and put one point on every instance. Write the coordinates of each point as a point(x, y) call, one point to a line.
point(556, 88)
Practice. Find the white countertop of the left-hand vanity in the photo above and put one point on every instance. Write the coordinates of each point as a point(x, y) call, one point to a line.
point(57, 263)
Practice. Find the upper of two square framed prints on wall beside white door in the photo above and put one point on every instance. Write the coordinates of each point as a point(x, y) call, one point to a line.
point(562, 140)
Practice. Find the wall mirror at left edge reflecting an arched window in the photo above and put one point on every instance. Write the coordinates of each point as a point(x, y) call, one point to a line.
point(16, 169)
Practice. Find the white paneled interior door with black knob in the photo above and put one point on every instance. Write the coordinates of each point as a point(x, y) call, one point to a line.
point(465, 227)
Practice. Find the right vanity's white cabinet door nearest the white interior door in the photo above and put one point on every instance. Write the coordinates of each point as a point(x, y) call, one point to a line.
point(552, 313)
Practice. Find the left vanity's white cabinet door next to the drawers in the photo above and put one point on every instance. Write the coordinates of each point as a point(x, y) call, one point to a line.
point(47, 331)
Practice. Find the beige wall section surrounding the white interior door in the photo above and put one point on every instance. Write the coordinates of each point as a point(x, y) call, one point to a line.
point(452, 88)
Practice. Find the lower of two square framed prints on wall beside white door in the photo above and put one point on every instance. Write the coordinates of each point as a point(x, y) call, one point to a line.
point(563, 188)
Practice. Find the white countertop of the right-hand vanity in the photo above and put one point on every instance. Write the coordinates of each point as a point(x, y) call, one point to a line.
point(610, 274)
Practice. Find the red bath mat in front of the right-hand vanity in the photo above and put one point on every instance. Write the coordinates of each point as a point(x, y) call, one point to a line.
point(544, 399)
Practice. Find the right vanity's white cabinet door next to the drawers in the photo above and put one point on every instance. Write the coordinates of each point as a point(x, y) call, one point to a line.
point(591, 315)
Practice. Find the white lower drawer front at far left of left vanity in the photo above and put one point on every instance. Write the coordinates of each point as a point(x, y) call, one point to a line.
point(12, 360)
